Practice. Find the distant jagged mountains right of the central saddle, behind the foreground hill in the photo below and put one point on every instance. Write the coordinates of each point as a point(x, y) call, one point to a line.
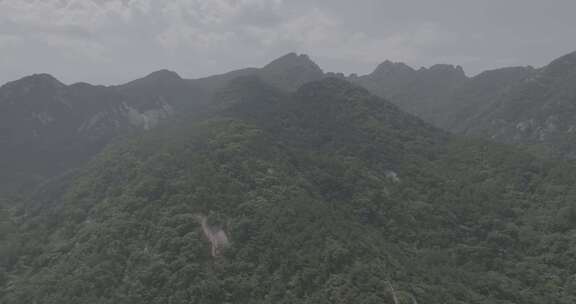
point(515, 105)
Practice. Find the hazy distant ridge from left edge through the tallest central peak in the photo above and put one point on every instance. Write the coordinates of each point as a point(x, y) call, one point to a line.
point(48, 128)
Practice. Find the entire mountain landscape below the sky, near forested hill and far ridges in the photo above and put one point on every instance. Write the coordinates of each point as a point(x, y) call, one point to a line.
point(330, 188)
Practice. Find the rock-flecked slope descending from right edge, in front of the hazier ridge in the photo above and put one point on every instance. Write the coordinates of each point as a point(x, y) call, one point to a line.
point(539, 110)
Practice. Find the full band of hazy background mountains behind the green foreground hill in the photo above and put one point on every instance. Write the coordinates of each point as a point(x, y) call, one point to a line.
point(42, 119)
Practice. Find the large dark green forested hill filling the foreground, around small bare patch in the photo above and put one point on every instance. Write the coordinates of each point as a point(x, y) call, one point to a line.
point(328, 195)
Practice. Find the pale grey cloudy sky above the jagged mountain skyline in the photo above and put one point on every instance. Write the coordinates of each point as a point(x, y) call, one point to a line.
point(110, 41)
